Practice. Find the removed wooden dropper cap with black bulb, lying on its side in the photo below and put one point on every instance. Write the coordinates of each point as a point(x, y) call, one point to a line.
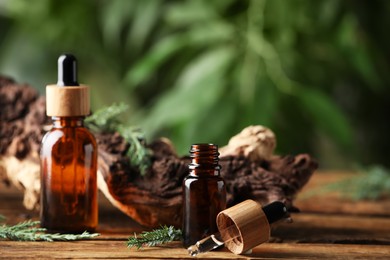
point(252, 224)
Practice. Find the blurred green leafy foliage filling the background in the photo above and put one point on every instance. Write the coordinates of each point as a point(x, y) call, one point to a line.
point(315, 72)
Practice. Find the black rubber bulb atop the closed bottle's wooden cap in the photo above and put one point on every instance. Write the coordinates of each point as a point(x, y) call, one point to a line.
point(67, 70)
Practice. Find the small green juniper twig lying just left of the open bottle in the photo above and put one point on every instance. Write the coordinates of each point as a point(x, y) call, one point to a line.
point(156, 237)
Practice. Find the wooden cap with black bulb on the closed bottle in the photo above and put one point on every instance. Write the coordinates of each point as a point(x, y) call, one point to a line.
point(67, 98)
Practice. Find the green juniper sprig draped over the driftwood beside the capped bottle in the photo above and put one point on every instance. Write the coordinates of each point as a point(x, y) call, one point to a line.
point(105, 120)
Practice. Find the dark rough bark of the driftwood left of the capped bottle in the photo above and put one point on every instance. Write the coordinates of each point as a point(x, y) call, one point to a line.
point(22, 118)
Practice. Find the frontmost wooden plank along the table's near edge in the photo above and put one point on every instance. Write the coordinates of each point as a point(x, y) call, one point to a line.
point(116, 250)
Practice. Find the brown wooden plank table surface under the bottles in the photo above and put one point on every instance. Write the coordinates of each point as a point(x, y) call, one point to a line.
point(328, 227)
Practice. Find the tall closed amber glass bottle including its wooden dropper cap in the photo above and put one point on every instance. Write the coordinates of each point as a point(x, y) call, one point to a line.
point(68, 156)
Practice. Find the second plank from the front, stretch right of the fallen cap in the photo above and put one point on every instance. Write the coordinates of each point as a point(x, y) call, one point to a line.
point(334, 229)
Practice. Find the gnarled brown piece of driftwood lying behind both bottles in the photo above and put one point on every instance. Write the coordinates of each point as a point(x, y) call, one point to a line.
point(250, 169)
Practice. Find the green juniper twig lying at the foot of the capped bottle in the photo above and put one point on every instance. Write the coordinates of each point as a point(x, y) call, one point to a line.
point(29, 231)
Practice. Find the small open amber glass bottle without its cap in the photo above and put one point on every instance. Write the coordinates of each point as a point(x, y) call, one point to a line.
point(204, 194)
